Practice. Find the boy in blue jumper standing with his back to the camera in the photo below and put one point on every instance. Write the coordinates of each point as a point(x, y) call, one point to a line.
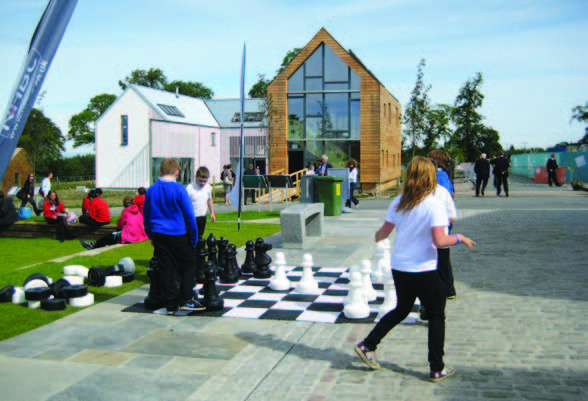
point(171, 226)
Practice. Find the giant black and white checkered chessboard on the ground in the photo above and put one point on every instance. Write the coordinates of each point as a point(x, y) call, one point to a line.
point(253, 299)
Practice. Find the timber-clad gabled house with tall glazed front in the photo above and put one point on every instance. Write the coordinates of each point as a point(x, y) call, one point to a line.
point(327, 102)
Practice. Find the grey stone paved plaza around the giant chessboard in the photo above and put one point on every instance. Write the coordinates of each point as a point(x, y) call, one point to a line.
point(518, 329)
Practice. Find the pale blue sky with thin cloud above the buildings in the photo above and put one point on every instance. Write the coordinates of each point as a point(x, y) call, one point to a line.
point(532, 54)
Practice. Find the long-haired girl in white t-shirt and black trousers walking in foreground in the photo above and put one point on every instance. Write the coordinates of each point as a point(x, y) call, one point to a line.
point(421, 221)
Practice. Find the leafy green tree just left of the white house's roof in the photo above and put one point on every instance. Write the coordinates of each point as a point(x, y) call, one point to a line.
point(81, 125)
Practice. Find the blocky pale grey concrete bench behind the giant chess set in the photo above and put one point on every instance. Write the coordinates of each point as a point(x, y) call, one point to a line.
point(301, 221)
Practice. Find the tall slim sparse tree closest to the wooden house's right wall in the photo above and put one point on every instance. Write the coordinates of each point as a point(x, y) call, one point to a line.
point(416, 110)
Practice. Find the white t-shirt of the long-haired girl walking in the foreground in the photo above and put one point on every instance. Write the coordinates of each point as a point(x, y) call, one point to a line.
point(414, 250)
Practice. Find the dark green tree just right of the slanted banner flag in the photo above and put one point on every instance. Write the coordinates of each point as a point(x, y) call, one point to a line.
point(42, 140)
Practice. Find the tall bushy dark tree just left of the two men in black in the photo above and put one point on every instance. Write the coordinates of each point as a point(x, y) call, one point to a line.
point(468, 121)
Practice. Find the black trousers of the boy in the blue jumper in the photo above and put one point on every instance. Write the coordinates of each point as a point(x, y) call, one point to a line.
point(176, 255)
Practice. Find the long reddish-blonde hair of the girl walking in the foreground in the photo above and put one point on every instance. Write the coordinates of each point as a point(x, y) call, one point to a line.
point(421, 180)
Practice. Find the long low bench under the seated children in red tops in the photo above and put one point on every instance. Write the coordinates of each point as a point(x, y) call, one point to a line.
point(25, 229)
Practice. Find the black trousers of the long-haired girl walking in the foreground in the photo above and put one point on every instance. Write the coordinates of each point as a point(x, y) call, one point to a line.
point(427, 286)
